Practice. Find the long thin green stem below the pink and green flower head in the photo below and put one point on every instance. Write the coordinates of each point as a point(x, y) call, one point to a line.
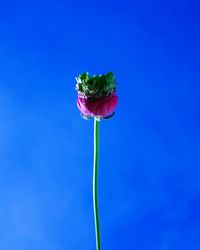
point(95, 182)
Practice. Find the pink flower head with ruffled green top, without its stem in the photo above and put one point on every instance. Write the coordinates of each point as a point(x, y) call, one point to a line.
point(96, 95)
